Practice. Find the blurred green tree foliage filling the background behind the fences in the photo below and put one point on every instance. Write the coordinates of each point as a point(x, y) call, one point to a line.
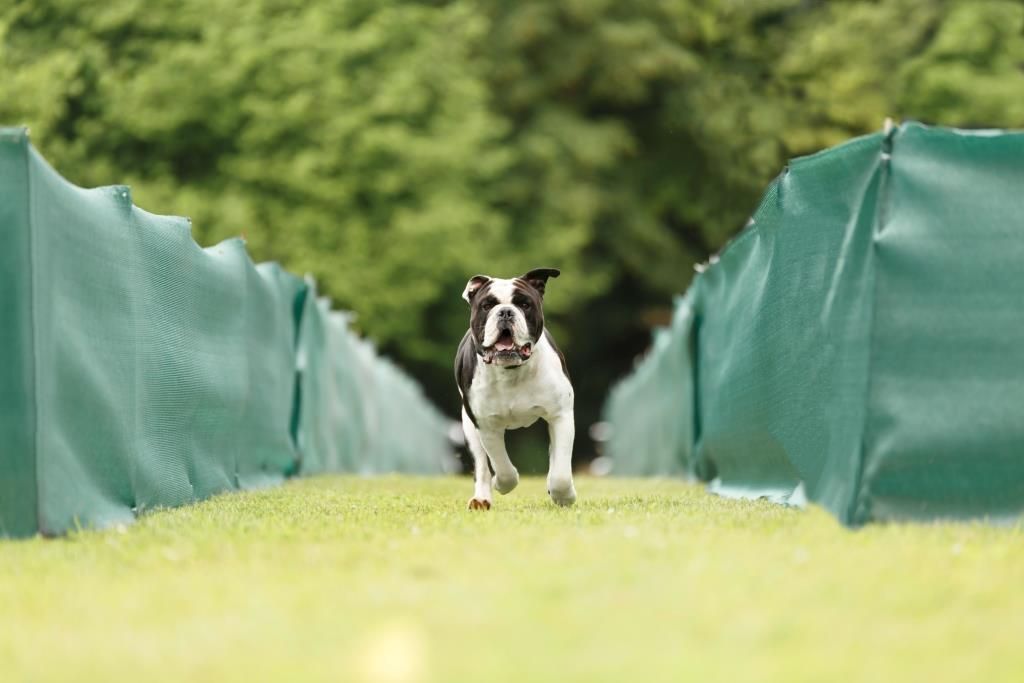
point(396, 148)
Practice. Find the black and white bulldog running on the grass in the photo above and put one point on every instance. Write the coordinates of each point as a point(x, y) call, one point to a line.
point(510, 373)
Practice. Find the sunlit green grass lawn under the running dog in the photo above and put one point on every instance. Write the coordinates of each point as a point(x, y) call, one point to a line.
point(393, 580)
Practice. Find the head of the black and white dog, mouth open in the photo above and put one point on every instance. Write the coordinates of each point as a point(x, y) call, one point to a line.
point(507, 316)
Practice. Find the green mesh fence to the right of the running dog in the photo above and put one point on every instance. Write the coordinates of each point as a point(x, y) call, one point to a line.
point(861, 344)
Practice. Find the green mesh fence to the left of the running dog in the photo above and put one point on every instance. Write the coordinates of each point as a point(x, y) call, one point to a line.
point(142, 371)
